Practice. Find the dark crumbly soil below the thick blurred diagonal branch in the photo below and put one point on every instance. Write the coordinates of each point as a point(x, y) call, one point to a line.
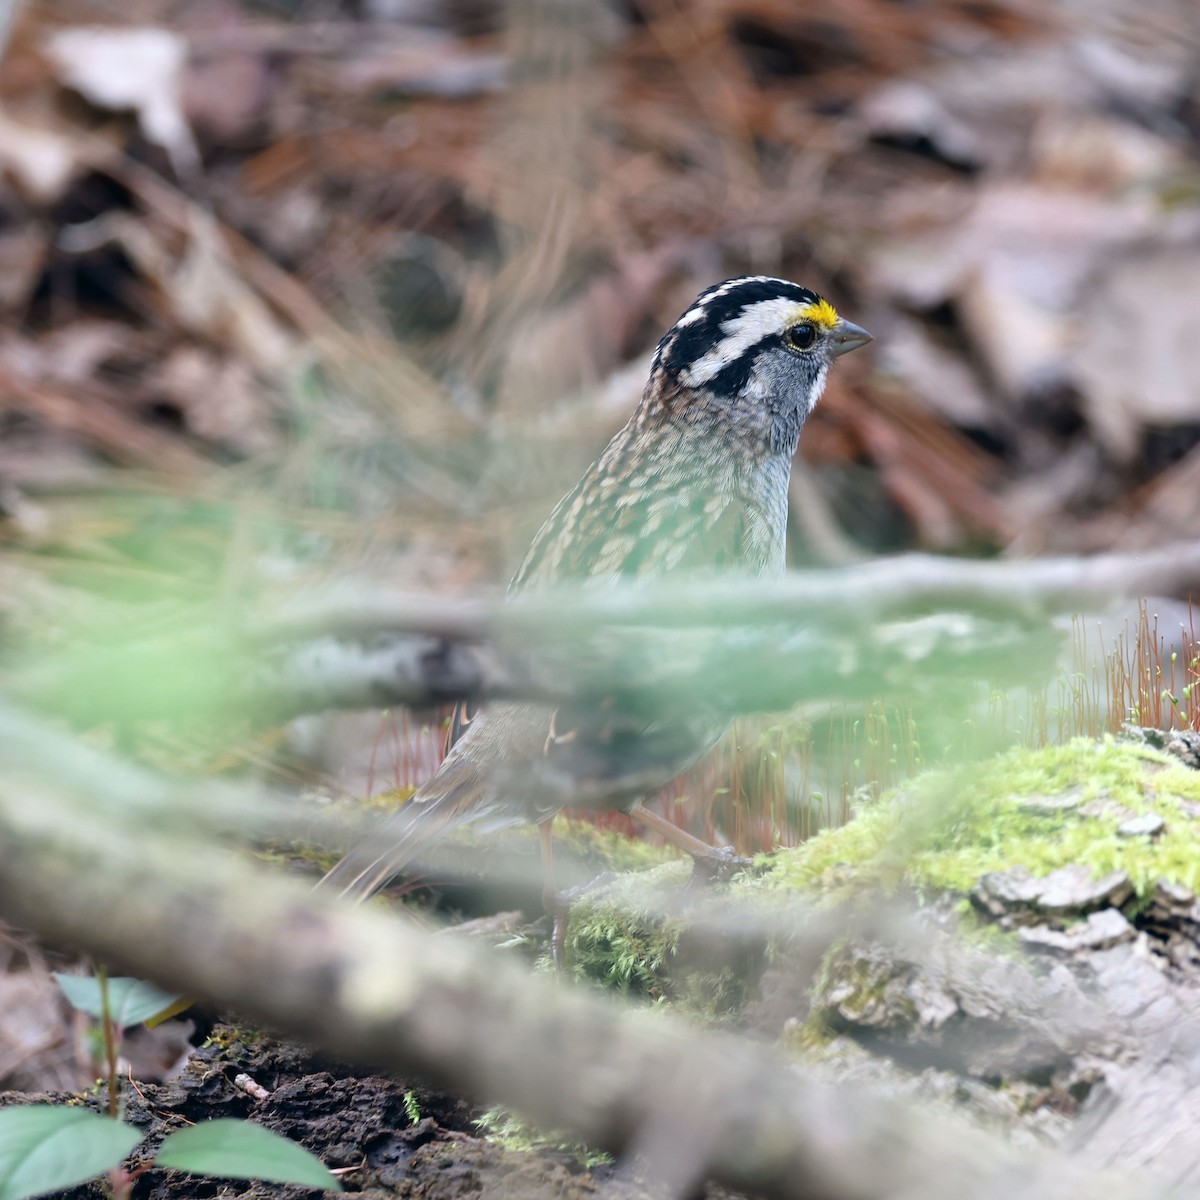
point(359, 1126)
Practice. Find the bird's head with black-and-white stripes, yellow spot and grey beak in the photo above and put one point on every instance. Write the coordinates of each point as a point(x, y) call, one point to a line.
point(753, 353)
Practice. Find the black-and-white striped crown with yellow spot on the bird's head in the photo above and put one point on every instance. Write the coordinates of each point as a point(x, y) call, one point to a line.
point(711, 341)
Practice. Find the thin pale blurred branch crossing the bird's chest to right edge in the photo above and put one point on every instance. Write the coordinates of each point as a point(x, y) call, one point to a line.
point(885, 590)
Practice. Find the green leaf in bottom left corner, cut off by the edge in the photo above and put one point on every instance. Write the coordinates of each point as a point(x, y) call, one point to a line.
point(45, 1148)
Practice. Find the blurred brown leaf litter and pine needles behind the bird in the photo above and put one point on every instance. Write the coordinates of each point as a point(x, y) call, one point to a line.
point(298, 291)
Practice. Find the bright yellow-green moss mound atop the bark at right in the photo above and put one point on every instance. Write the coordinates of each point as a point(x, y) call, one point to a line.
point(946, 830)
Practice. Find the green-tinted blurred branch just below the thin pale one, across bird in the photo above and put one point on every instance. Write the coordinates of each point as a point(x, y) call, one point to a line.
point(730, 673)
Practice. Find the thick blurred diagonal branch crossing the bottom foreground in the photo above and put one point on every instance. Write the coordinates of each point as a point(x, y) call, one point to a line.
point(375, 991)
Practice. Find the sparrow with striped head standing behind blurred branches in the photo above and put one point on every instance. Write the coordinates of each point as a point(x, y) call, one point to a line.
point(695, 483)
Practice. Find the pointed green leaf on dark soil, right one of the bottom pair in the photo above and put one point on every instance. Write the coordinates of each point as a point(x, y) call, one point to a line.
point(241, 1150)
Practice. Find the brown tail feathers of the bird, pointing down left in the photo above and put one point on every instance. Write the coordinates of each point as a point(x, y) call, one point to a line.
point(446, 802)
